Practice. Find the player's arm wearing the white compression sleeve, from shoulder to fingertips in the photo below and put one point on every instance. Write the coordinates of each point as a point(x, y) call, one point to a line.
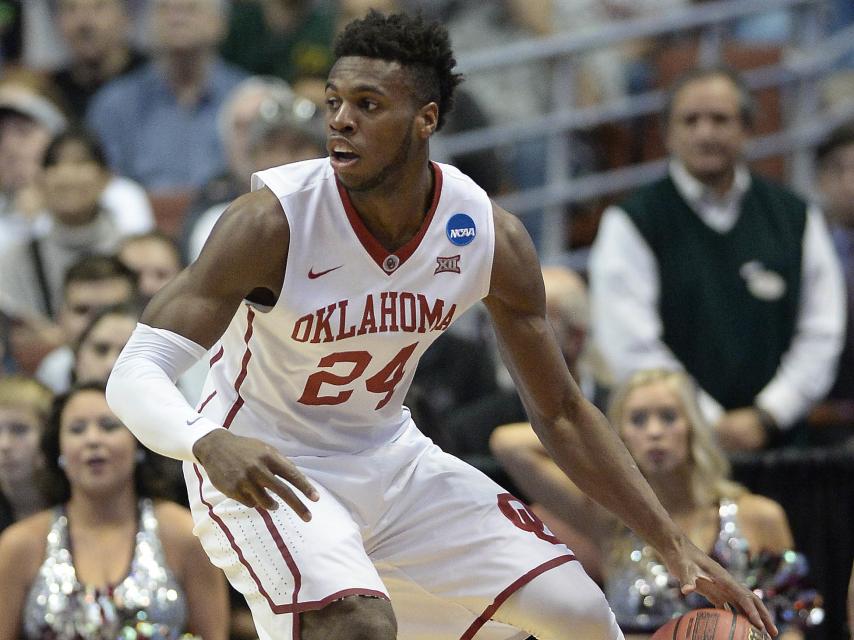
point(244, 256)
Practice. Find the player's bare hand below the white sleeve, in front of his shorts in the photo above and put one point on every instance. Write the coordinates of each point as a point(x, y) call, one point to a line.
point(252, 472)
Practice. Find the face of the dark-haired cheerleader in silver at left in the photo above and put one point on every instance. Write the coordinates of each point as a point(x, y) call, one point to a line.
point(98, 450)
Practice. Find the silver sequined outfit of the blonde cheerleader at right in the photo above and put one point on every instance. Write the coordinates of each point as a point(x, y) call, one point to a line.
point(641, 592)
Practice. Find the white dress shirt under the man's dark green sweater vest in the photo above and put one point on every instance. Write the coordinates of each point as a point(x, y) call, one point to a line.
point(627, 328)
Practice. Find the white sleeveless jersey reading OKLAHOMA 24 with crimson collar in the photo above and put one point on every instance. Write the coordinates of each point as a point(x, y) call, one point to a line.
point(326, 369)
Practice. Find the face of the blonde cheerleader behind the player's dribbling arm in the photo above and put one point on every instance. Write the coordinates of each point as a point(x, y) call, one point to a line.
point(655, 429)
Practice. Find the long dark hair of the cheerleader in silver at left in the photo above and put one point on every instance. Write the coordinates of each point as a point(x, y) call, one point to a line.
point(151, 476)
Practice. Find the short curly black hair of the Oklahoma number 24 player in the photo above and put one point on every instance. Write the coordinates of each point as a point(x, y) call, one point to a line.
point(424, 48)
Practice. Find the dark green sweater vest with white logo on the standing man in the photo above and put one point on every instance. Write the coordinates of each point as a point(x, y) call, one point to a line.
point(728, 301)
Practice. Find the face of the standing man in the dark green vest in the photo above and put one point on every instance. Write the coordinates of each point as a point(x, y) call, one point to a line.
point(706, 130)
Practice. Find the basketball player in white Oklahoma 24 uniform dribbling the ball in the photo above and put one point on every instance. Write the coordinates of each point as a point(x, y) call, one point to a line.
point(318, 292)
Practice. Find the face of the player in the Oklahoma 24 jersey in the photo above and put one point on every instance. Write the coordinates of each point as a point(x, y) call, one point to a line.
point(372, 121)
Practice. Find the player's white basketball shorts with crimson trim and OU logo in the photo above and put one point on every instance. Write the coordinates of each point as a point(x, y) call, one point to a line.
point(404, 521)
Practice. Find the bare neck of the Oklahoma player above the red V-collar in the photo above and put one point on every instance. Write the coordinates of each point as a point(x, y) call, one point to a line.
point(394, 211)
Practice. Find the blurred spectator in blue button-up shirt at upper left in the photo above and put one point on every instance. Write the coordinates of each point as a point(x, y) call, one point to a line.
point(157, 124)
